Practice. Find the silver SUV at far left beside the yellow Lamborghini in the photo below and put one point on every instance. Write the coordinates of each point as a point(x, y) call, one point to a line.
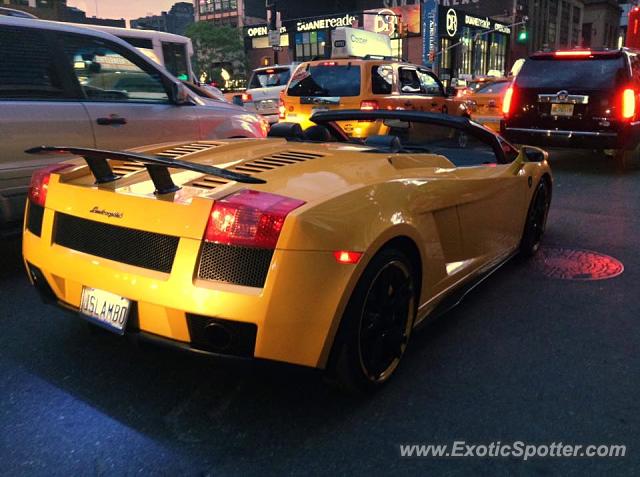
point(61, 83)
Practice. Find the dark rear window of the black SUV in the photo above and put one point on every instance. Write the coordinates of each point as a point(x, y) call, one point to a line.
point(565, 74)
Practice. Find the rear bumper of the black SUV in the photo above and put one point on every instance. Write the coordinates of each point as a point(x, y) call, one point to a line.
point(626, 138)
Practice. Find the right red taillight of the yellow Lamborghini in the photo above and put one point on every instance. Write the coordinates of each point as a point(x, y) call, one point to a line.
point(249, 219)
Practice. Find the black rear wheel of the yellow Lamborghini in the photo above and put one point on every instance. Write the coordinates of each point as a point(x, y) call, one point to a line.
point(376, 326)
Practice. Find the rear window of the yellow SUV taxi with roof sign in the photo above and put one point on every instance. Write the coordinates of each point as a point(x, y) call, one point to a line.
point(326, 80)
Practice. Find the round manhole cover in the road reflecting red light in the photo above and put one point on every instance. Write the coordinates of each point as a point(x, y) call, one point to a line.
point(576, 264)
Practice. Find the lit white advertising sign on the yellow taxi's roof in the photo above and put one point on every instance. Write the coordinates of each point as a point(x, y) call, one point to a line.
point(353, 42)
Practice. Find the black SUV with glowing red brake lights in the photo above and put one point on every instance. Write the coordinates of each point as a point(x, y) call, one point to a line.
point(580, 99)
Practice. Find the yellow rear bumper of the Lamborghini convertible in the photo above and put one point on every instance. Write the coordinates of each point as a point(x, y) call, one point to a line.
point(286, 320)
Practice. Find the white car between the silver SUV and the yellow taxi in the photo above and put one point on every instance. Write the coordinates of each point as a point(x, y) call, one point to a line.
point(262, 95)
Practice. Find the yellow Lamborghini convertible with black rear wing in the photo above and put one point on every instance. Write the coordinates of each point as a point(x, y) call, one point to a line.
point(306, 247)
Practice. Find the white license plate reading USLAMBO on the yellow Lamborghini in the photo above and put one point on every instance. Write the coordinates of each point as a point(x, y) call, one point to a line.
point(105, 309)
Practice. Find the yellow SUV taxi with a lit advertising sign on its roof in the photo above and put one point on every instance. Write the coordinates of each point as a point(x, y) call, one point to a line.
point(355, 79)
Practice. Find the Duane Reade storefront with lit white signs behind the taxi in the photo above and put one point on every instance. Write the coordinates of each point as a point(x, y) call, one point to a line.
point(462, 42)
